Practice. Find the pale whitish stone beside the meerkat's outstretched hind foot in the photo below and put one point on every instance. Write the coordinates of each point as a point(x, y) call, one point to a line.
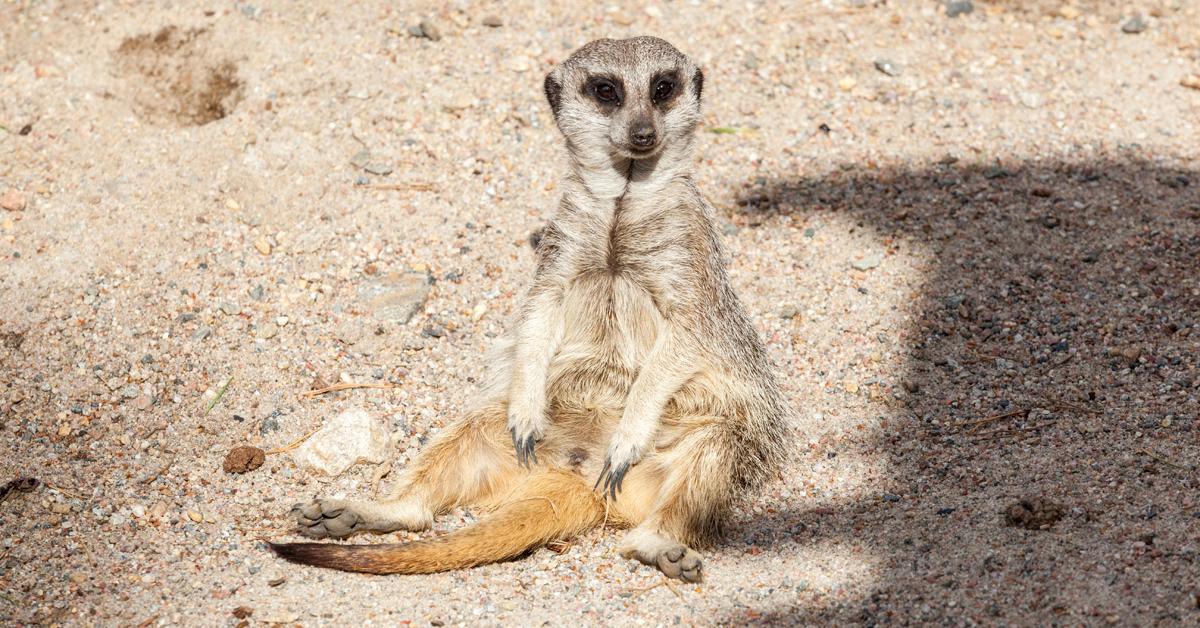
point(352, 438)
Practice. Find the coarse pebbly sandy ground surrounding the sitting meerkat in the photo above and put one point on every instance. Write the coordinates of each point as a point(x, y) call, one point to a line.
point(980, 279)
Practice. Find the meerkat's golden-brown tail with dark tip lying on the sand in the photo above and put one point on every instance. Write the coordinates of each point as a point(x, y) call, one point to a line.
point(549, 506)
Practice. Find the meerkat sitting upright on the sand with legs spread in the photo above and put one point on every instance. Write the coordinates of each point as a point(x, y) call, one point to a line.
point(634, 390)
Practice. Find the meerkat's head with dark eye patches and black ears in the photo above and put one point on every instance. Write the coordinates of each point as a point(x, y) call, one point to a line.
point(626, 99)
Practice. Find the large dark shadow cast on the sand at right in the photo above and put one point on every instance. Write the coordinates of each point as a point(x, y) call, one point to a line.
point(1066, 295)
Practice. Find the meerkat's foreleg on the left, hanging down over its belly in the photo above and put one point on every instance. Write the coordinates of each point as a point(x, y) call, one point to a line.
point(537, 340)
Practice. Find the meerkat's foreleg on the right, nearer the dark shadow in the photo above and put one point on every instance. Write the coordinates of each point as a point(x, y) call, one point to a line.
point(667, 369)
